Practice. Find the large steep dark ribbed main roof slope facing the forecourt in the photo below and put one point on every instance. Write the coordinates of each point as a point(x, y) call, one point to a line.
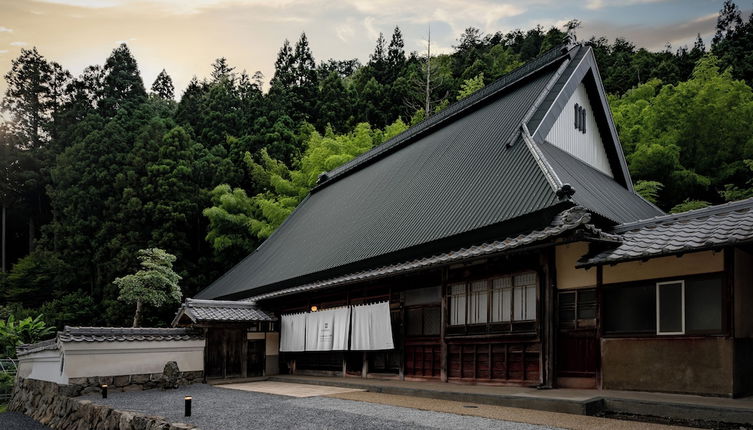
point(470, 173)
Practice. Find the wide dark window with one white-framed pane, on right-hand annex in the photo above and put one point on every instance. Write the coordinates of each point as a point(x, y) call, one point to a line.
point(689, 306)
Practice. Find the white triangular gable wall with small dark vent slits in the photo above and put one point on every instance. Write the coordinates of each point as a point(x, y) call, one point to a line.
point(588, 146)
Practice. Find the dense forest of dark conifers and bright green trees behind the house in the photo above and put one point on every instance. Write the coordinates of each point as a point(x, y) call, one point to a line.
point(98, 166)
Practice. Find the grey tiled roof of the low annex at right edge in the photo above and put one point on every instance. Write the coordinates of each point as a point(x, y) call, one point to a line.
point(709, 228)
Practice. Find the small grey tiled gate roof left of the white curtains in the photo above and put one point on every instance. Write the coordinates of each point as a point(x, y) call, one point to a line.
point(201, 311)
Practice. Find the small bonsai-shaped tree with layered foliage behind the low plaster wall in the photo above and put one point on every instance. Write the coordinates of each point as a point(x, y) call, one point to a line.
point(155, 284)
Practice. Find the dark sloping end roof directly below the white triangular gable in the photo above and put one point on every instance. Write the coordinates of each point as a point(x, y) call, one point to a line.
point(597, 191)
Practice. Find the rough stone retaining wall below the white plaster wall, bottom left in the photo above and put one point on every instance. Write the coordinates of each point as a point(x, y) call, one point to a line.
point(55, 406)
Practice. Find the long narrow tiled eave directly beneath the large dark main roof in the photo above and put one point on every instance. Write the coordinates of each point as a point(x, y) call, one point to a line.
point(569, 220)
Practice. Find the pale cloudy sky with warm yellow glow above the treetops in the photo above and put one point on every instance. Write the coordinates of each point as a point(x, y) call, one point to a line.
point(185, 36)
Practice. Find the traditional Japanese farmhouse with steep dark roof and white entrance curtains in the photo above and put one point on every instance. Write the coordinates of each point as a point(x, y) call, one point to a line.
point(498, 242)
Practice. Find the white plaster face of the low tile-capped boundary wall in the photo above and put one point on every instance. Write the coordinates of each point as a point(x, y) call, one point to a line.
point(129, 358)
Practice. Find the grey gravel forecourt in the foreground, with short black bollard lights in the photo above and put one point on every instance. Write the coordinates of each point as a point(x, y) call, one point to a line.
point(224, 409)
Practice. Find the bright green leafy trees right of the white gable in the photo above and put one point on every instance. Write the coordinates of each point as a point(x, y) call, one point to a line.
point(692, 136)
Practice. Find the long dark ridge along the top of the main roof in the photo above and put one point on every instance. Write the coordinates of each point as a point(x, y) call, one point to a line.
point(552, 55)
